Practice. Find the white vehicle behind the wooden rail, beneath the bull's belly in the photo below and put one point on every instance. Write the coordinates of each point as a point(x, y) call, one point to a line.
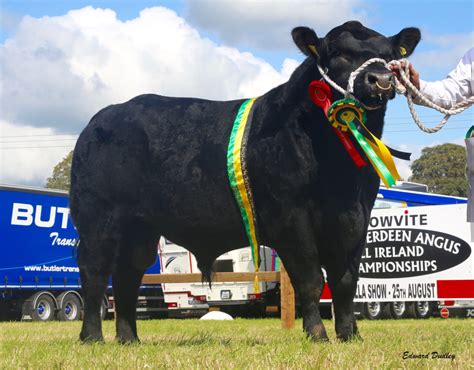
point(239, 298)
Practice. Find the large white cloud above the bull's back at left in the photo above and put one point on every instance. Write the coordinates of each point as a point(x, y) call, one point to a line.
point(59, 71)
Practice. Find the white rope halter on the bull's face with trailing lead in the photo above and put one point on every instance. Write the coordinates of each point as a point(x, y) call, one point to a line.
point(409, 91)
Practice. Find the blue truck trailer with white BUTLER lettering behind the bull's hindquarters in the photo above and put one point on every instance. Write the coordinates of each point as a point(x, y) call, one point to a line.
point(39, 277)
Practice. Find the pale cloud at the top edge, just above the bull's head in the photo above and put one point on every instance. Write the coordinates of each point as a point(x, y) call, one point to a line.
point(268, 24)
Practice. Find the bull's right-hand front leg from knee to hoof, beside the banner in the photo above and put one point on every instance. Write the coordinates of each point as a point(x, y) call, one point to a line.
point(343, 292)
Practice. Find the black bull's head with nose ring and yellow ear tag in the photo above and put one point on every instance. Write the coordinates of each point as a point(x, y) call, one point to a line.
point(348, 46)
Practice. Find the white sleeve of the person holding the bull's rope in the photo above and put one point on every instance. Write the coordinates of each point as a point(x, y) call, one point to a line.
point(457, 86)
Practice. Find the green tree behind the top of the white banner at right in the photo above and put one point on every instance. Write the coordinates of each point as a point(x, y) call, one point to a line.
point(443, 169)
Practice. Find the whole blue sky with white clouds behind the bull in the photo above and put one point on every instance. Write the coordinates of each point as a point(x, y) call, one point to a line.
point(62, 61)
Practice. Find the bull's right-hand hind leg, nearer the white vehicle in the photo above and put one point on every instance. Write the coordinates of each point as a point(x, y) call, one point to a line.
point(137, 253)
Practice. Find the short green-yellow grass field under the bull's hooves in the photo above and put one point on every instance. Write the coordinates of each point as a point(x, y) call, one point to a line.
point(242, 343)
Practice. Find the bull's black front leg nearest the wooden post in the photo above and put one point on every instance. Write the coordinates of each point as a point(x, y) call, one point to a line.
point(308, 281)
